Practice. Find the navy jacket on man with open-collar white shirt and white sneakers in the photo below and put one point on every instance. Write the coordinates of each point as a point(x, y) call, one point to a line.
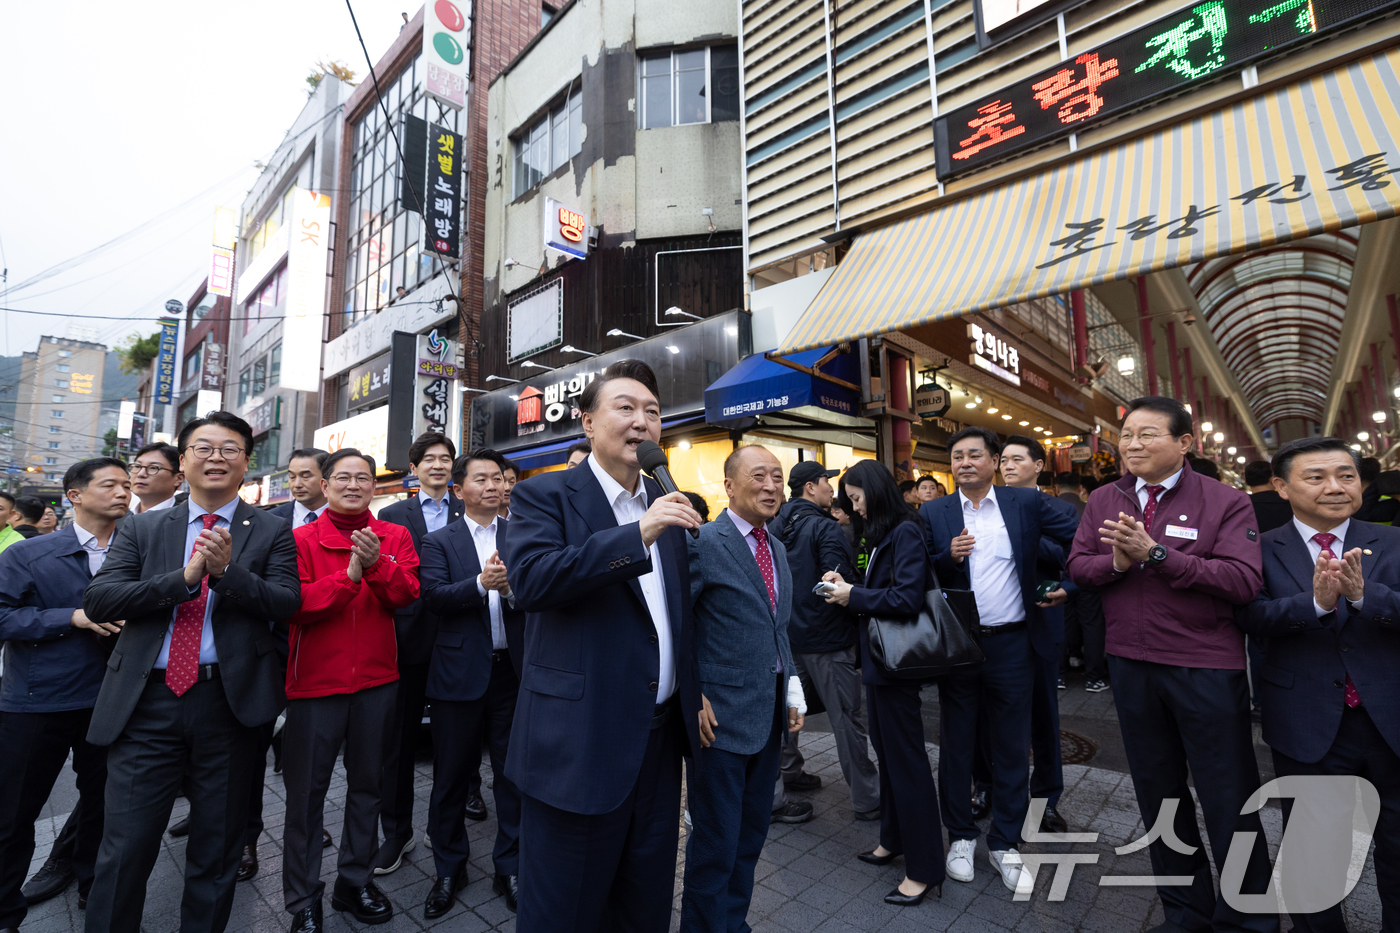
point(1030, 516)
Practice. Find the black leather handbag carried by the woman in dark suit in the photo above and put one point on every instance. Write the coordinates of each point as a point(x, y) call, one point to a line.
point(936, 642)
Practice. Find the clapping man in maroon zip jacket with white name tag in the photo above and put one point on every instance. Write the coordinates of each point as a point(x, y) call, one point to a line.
point(1172, 555)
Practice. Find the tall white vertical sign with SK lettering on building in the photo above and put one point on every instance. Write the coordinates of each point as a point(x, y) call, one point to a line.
point(306, 291)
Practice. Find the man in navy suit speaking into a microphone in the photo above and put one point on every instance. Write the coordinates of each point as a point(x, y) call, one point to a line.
point(610, 698)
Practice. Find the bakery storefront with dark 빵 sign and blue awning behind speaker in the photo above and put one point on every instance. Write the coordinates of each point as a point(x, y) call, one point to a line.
point(716, 393)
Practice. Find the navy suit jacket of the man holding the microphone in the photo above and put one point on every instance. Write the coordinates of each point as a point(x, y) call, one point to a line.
point(589, 689)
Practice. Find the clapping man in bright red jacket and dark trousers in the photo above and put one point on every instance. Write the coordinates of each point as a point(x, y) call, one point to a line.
point(356, 572)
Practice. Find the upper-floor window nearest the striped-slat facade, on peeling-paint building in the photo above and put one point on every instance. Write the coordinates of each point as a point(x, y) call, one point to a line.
point(691, 86)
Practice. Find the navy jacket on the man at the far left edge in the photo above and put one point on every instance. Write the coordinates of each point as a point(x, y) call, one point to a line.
point(50, 666)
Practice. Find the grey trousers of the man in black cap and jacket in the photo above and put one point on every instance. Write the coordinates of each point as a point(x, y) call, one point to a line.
point(839, 684)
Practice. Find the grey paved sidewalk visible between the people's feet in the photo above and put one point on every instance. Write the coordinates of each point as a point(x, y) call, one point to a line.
point(808, 879)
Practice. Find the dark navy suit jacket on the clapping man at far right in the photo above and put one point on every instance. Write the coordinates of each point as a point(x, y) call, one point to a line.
point(1307, 659)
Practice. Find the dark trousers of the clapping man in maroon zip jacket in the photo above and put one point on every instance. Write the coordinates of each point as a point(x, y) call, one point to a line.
point(1191, 721)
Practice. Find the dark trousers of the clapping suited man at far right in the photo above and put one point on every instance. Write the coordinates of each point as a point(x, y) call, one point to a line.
point(1361, 750)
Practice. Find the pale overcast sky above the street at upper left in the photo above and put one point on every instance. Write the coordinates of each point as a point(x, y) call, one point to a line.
point(117, 114)
